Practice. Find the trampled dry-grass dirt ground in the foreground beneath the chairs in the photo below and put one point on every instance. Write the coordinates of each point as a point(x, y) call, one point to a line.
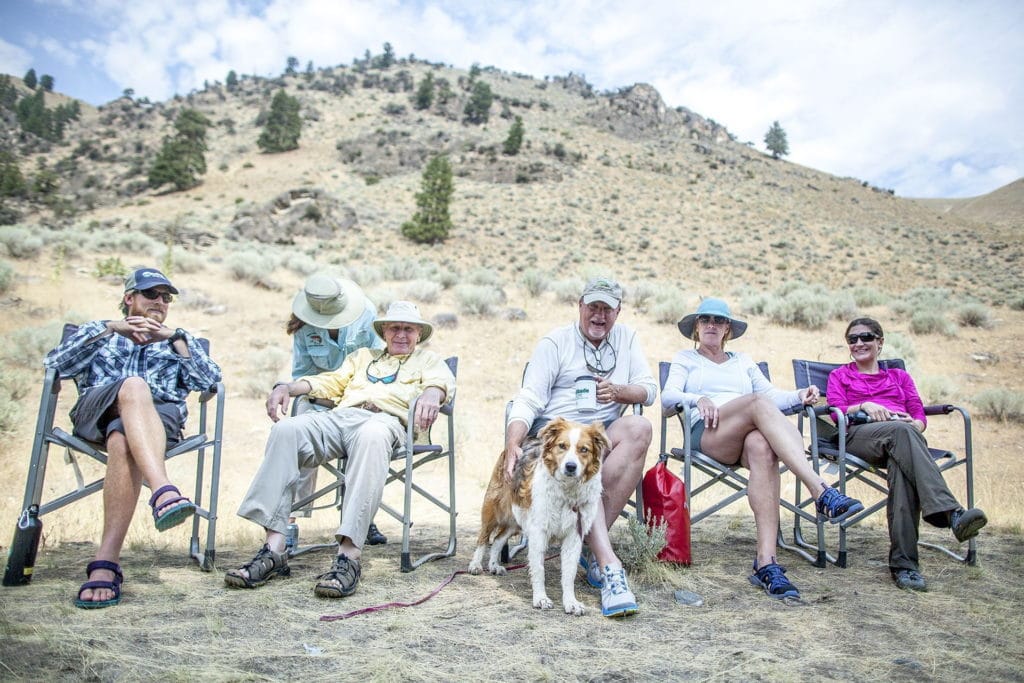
point(177, 623)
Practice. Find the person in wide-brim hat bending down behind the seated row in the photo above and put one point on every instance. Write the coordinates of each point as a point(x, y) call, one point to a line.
point(331, 318)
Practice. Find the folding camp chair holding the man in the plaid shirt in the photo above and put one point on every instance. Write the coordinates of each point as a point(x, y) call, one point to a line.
point(48, 435)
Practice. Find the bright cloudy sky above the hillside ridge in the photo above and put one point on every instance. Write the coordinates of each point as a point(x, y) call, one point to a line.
point(922, 97)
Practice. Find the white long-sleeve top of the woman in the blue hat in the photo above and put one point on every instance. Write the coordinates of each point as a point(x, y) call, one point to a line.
point(693, 377)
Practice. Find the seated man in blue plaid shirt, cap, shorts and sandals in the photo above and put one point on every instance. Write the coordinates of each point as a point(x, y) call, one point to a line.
point(134, 376)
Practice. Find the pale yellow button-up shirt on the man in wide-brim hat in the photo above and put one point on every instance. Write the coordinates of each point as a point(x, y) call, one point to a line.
point(350, 386)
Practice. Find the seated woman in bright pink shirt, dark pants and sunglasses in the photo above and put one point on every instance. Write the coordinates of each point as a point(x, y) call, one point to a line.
point(887, 432)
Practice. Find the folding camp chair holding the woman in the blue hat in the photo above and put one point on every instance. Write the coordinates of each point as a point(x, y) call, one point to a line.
point(732, 478)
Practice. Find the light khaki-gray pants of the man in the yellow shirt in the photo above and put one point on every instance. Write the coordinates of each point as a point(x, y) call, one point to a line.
point(368, 440)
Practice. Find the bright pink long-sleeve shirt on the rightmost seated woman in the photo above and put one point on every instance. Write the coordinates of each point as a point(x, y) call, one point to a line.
point(892, 389)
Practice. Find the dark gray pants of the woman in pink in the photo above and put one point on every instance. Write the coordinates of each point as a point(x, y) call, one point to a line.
point(916, 485)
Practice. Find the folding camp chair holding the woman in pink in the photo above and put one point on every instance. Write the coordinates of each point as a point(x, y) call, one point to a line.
point(828, 430)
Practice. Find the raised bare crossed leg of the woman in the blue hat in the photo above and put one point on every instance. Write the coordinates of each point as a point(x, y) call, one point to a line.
point(753, 412)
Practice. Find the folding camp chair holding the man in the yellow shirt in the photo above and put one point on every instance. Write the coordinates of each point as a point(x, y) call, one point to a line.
point(404, 462)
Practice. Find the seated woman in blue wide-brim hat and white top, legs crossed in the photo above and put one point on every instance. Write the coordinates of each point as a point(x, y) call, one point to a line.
point(736, 418)
